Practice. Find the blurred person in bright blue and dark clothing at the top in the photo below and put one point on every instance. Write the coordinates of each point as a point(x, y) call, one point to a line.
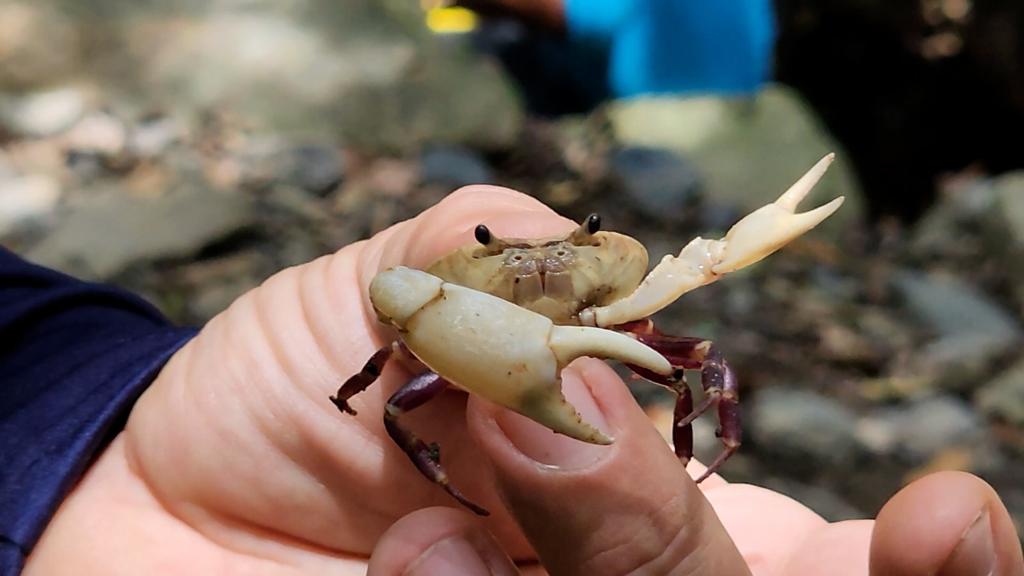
point(572, 55)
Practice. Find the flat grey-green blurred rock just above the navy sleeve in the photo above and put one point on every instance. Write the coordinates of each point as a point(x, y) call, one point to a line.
point(105, 233)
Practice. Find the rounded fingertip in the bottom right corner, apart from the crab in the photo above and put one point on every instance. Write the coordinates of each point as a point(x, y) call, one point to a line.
point(920, 530)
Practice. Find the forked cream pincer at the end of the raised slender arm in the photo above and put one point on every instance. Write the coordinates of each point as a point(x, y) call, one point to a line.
point(775, 226)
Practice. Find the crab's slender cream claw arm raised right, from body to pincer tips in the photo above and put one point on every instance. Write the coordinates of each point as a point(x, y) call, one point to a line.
point(703, 262)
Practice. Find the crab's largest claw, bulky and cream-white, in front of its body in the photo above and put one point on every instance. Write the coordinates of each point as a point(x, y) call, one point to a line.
point(501, 352)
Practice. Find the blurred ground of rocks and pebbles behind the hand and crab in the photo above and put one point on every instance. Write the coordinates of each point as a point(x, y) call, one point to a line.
point(190, 170)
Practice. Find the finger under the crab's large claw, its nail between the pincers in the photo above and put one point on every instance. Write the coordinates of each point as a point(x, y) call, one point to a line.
point(604, 510)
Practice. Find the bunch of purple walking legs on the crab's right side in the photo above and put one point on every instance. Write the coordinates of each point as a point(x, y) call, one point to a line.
point(717, 380)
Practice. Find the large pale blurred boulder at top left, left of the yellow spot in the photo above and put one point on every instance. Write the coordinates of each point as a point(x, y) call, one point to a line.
point(369, 74)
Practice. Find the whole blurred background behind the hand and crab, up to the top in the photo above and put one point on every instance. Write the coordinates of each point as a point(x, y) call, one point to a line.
point(188, 150)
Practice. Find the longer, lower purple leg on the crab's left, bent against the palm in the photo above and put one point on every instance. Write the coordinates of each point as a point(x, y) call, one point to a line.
point(428, 459)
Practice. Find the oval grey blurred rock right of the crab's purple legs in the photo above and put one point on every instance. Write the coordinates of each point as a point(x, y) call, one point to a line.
point(810, 430)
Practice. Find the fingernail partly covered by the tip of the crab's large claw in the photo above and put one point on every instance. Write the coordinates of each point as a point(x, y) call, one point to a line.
point(546, 447)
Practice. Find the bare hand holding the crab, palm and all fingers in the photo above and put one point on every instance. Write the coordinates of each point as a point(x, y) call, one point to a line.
point(236, 462)
